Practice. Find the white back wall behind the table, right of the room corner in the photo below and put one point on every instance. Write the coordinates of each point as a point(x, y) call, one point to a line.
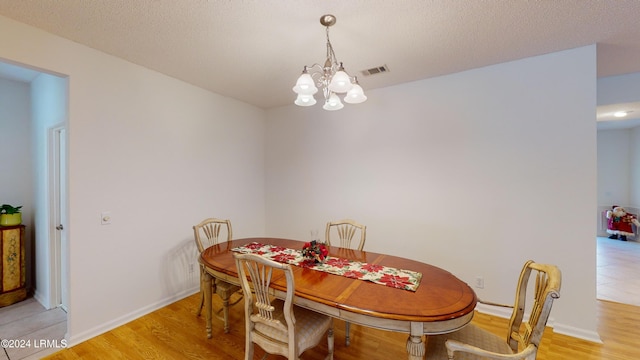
point(475, 172)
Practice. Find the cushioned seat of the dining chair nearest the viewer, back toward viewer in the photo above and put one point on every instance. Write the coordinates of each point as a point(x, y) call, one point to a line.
point(310, 327)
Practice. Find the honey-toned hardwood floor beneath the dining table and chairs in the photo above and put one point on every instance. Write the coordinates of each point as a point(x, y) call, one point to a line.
point(175, 332)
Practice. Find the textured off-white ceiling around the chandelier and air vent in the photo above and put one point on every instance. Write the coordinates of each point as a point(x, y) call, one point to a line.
point(253, 50)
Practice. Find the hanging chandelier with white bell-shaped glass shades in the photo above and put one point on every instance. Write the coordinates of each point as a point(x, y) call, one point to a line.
point(331, 77)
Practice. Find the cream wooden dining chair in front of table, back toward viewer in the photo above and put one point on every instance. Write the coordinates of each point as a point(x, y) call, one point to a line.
point(277, 326)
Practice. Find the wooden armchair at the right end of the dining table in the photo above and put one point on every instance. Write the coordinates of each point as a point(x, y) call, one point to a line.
point(522, 337)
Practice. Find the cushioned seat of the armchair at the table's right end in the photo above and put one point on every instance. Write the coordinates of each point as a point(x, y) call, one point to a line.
point(471, 335)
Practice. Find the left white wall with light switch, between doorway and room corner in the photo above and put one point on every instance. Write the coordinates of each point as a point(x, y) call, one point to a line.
point(160, 155)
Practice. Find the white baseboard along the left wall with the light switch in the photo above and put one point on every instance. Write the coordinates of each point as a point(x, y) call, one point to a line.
point(98, 330)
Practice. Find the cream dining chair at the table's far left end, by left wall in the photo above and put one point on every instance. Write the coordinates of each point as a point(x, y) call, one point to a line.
point(210, 232)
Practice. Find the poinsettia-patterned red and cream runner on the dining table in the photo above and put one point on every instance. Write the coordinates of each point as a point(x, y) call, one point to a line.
point(396, 278)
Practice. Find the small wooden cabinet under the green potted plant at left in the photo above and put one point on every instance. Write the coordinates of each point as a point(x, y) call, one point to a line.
point(12, 265)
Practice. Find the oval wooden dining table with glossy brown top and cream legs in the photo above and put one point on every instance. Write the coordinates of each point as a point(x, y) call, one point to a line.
point(442, 303)
